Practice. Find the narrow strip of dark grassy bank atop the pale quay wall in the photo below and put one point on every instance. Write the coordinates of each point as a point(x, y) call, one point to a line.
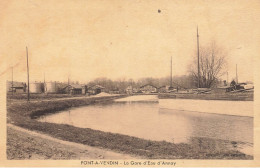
point(243, 96)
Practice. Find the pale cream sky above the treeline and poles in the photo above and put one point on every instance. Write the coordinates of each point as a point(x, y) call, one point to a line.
point(87, 39)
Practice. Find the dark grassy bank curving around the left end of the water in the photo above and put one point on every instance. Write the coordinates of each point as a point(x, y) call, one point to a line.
point(23, 114)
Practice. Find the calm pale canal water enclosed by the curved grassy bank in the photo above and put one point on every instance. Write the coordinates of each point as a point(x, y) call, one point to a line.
point(145, 119)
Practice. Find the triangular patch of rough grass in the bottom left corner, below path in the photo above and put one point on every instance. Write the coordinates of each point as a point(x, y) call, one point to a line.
point(23, 146)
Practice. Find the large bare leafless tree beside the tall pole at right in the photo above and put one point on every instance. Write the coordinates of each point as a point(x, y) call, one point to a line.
point(212, 65)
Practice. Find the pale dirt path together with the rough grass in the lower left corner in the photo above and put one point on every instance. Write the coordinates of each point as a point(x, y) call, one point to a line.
point(25, 144)
